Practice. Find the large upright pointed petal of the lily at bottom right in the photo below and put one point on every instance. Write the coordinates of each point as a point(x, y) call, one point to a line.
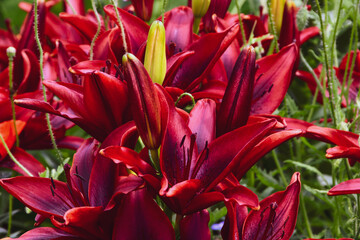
point(277, 215)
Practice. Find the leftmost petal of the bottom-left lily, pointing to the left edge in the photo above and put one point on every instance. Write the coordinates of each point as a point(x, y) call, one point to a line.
point(36, 194)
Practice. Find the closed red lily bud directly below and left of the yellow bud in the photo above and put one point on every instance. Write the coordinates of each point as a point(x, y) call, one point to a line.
point(145, 103)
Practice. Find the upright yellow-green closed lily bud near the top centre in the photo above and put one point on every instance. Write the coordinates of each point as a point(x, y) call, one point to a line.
point(155, 54)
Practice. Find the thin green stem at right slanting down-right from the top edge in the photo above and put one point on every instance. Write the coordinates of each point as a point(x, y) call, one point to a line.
point(328, 76)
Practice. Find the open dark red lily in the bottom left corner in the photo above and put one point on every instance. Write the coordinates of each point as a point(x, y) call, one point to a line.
point(84, 193)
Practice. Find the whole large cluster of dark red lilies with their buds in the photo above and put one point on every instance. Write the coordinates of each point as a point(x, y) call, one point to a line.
point(177, 112)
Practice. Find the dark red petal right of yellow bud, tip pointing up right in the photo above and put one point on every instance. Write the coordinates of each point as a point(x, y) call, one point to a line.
point(208, 49)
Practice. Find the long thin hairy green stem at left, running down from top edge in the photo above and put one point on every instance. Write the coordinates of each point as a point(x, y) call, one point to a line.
point(41, 62)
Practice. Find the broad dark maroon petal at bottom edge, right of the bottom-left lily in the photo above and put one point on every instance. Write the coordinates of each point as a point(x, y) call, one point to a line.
point(139, 217)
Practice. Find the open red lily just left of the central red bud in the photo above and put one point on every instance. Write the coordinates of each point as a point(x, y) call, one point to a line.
point(96, 114)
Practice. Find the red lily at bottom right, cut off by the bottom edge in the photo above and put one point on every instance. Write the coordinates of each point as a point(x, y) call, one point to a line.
point(275, 219)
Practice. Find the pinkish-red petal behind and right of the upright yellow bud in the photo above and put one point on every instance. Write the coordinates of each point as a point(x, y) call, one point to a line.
point(178, 24)
